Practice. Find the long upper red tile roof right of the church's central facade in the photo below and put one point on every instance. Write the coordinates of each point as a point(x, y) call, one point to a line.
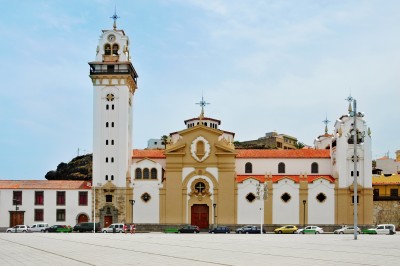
point(295, 154)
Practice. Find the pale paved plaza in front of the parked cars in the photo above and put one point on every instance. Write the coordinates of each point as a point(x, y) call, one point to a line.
point(197, 249)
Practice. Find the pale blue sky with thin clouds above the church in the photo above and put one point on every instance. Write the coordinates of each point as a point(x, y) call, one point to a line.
point(263, 66)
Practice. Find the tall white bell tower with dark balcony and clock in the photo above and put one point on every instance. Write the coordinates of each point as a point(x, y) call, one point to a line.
point(114, 82)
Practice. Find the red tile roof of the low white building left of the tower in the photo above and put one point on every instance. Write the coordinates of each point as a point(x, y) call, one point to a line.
point(44, 184)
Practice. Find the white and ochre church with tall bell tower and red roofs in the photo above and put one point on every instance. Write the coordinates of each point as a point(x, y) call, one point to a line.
point(201, 179)
